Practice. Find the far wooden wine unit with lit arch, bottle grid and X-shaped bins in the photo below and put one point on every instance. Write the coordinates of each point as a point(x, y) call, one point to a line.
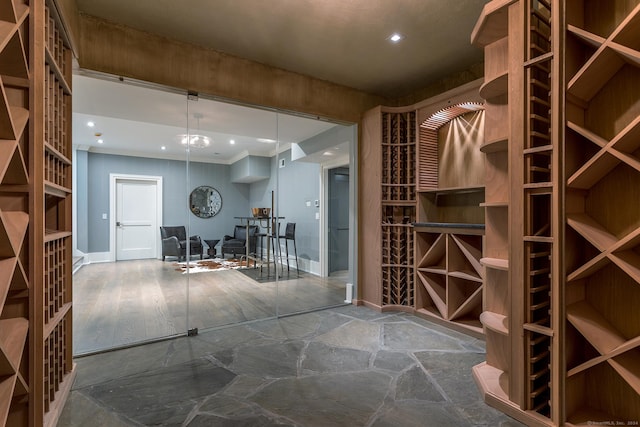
point(404, 183)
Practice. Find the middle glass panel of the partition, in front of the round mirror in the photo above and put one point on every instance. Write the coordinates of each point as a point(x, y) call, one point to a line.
point(231, 154)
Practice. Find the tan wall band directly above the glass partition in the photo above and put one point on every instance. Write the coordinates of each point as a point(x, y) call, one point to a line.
point(115, 49)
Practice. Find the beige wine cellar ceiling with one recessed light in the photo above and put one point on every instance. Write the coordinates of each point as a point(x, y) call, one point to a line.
point(342, 41)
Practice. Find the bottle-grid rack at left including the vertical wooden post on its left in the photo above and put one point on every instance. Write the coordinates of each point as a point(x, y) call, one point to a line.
point(51, 370)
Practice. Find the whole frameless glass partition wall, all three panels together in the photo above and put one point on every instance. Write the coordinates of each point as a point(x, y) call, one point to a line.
point(193, 213)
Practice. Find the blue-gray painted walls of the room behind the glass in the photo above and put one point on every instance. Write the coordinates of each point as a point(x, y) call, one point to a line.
point(299, 182)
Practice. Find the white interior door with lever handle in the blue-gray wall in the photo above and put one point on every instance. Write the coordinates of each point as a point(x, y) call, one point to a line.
point(136, 219)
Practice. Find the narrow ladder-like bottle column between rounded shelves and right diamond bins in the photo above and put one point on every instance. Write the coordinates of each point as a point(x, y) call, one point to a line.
point(540, 234)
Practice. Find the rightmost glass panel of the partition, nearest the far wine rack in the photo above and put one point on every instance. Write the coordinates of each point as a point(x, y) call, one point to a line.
point(314, 203)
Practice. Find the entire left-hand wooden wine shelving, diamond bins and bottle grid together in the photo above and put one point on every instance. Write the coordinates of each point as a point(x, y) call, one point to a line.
point(35, 213)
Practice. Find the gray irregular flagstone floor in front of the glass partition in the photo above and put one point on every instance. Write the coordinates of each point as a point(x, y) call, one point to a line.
point(347, 366)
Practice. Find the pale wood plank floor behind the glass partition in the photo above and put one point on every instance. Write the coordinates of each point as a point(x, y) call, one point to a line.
point(126, 302)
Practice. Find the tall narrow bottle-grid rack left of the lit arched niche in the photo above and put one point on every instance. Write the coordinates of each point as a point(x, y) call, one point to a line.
point(398, 207)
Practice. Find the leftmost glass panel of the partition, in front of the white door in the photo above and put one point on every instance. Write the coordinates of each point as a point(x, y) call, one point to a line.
point(130, 215)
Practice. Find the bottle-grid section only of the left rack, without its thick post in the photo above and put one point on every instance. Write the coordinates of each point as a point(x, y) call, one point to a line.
point(57, 243)
